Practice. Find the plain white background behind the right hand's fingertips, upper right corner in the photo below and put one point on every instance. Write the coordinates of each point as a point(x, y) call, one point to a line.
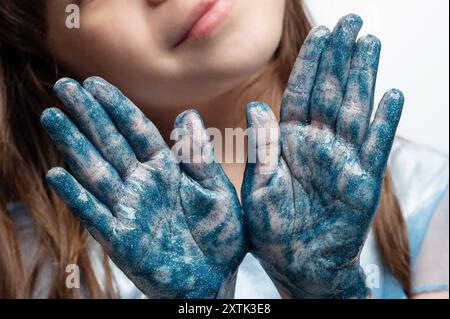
point(415, 58)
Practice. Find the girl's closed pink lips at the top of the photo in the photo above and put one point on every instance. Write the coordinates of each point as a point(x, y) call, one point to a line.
point(203, 19)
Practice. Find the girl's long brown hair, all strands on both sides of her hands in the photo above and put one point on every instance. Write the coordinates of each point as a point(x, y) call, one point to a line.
point(27, 72)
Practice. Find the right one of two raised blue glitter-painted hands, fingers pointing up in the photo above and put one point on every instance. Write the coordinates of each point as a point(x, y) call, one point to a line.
point(310, 207)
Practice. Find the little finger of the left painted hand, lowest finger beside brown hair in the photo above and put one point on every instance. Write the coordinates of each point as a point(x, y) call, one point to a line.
point(92, 214)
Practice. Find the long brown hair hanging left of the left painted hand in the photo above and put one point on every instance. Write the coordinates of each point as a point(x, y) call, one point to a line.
point(26, 153)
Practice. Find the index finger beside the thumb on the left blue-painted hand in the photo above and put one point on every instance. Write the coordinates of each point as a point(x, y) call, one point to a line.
point(140, 132)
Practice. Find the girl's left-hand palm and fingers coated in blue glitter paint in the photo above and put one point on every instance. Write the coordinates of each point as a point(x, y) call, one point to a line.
point(174, 229)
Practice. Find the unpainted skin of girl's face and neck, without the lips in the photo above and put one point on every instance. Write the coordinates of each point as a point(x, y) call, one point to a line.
point(130, 49)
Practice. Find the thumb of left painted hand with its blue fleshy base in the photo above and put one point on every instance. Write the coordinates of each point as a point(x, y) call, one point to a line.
point(215, 224)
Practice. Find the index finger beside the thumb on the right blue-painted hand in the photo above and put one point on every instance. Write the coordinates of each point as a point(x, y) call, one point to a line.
point(296, 101)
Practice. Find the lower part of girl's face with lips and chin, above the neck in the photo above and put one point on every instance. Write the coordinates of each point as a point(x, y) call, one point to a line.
point(135, 44)
